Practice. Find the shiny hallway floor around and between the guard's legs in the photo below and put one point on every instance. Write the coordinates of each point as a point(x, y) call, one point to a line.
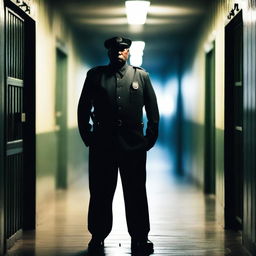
point(182, 220)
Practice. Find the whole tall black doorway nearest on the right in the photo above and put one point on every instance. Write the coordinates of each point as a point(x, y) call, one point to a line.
point(234, 123)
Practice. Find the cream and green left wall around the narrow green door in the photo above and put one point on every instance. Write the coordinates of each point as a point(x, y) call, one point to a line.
point(52, 30)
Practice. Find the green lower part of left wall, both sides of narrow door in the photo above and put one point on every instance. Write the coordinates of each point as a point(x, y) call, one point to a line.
point(46, 162)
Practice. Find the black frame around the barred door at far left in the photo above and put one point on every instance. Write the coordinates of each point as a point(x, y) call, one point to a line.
point(29, 149)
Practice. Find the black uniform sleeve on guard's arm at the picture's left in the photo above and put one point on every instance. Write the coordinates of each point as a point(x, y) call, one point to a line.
point(84, 109)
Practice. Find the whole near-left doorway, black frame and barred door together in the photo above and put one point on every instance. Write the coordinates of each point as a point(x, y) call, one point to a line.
point(19, 101)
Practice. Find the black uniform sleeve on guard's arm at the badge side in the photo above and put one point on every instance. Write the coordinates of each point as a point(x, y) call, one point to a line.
point(152, 113)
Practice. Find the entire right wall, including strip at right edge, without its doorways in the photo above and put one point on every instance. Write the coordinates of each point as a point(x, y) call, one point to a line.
point(193, 91)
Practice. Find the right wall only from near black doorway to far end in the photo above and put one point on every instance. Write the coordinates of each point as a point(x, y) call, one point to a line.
point(193, 90)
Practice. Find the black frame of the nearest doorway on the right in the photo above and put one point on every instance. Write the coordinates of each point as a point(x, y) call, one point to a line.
point(229, 217)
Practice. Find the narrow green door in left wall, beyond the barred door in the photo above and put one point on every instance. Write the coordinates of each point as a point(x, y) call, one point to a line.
point(61, 117)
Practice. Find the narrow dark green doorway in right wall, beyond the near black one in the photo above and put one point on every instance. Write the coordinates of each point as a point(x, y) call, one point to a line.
point(209, 173)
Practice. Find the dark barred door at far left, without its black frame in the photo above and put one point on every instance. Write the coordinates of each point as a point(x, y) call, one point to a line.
point(14, 124)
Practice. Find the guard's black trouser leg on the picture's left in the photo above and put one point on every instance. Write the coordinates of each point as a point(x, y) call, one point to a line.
point(102, 184)
